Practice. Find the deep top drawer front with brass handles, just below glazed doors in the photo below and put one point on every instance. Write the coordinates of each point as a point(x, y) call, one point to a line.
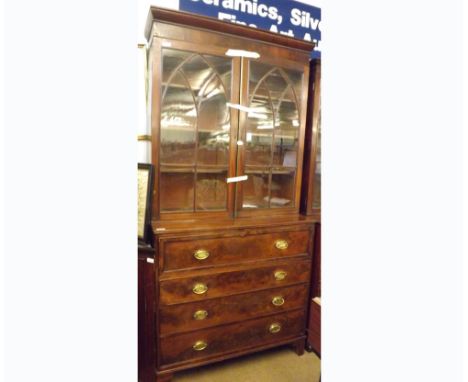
point(183, 254)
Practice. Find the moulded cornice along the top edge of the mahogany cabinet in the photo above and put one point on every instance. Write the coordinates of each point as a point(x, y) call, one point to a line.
point(211, 24)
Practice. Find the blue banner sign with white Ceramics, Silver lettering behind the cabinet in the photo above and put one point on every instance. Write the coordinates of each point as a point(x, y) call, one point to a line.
point(290, 18)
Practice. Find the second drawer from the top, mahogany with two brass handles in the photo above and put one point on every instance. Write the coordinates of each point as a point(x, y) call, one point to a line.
point(206, 286)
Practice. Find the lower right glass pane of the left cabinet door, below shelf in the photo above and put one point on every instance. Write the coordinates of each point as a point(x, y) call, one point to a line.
point(211, 191)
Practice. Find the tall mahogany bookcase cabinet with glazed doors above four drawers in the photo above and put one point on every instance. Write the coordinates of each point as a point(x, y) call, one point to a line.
point(232, 252)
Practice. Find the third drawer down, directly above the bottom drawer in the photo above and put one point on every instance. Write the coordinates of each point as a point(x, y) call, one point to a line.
point(203, 314)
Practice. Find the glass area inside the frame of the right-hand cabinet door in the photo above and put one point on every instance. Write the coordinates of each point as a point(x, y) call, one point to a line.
point(272, 134)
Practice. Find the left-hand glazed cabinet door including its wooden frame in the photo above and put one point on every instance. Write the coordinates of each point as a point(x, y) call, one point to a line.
point(198, 131)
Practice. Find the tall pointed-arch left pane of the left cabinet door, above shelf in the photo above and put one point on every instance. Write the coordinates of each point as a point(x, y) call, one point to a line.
point(178, 123)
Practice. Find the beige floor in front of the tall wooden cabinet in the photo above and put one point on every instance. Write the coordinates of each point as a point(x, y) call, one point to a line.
point(276, 365)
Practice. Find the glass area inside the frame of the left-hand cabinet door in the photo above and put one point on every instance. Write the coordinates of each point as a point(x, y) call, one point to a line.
point(195, 129)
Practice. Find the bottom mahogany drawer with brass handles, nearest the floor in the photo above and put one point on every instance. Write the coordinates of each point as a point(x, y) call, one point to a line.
point(230, 338)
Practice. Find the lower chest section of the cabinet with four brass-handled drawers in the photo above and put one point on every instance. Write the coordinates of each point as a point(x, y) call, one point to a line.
point(230, 292)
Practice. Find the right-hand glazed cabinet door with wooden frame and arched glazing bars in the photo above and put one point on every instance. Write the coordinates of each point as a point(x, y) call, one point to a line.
point(272, 129)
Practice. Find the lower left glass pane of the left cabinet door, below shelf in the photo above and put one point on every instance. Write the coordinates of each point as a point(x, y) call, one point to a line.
point(176, 189)
